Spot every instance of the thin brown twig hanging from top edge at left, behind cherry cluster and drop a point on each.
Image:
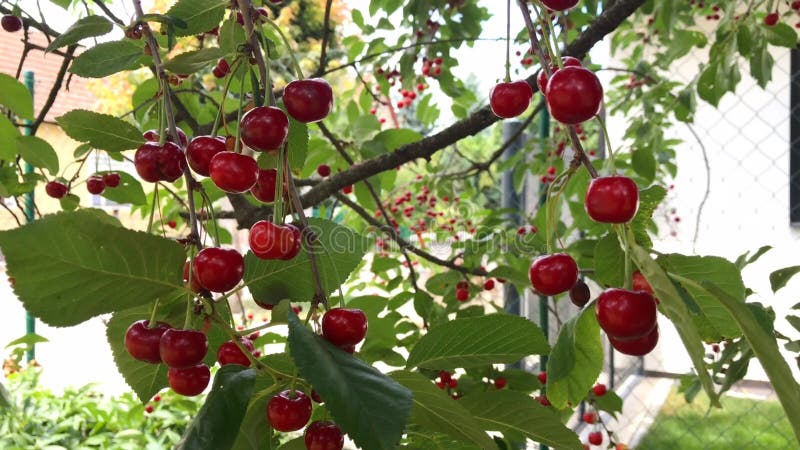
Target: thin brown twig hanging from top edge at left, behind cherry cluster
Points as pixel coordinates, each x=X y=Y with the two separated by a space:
x=173 y=128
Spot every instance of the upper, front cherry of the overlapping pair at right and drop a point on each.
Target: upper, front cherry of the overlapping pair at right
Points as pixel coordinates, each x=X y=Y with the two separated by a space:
x=626 y=315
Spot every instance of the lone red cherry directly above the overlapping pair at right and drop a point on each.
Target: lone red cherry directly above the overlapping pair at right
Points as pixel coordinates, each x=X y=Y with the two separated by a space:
x=612 y=199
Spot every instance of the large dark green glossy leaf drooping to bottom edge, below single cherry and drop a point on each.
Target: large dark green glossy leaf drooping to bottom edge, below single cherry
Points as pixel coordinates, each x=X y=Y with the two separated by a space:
x=369 y=406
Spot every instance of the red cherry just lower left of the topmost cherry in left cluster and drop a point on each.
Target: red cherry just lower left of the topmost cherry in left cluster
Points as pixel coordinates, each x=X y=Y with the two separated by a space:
x=265 y=128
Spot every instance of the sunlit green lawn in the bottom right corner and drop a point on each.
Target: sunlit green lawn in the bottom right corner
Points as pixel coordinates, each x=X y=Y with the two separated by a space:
x=742 y=424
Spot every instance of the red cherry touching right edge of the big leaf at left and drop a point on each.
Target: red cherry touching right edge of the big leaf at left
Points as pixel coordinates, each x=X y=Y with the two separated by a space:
x=218 y=269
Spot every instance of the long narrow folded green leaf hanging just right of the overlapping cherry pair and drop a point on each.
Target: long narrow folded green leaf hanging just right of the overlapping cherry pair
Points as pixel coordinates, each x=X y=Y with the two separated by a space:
x=676 y=310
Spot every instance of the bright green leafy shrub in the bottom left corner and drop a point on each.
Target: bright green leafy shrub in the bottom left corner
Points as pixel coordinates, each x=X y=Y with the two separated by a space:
x=83 y=418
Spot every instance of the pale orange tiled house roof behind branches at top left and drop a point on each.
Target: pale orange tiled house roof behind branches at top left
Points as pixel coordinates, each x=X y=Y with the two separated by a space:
x=74 y=92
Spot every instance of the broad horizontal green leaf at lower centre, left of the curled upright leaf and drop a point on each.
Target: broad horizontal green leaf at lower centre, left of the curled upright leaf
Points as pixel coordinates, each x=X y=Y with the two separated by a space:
x=477 y=341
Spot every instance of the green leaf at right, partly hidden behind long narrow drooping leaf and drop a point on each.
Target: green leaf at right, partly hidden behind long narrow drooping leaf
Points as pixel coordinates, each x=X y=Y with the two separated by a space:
x=716 y=270
